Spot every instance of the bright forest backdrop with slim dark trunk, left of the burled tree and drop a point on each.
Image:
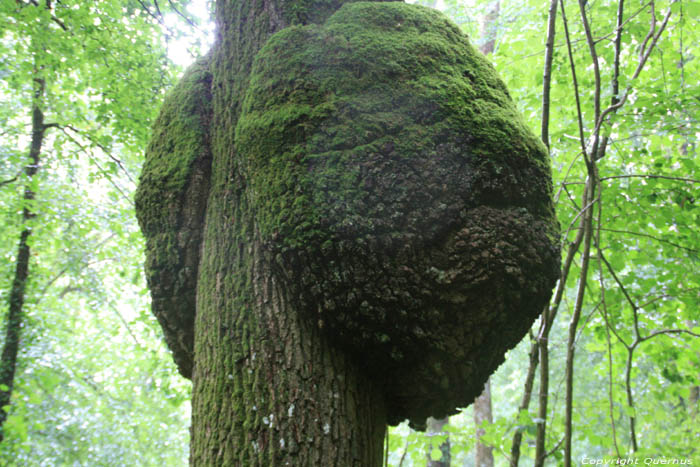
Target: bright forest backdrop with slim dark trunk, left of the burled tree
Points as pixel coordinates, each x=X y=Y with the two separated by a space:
x=80 y=84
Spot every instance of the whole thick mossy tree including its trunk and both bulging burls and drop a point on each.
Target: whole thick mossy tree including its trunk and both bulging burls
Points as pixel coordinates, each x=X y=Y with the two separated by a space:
x=348 y=224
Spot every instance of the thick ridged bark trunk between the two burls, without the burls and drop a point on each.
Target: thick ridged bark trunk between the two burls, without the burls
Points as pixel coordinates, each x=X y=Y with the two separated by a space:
x=268 y=387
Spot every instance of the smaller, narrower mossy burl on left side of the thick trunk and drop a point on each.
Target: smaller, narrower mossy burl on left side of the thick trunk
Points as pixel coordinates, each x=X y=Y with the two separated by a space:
x=170 y=204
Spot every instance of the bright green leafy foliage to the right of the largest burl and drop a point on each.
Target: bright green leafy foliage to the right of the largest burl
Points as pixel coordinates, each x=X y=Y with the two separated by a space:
x=641 y=307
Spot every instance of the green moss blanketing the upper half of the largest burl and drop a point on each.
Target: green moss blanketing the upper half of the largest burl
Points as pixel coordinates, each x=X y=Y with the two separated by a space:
x=327 y=105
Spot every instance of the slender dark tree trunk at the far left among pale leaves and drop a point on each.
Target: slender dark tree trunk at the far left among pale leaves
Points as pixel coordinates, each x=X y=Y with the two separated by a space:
x=8 y=362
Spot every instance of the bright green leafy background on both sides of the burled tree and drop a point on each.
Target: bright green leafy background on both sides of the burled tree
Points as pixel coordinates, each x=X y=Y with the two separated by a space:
x=105 y=63
